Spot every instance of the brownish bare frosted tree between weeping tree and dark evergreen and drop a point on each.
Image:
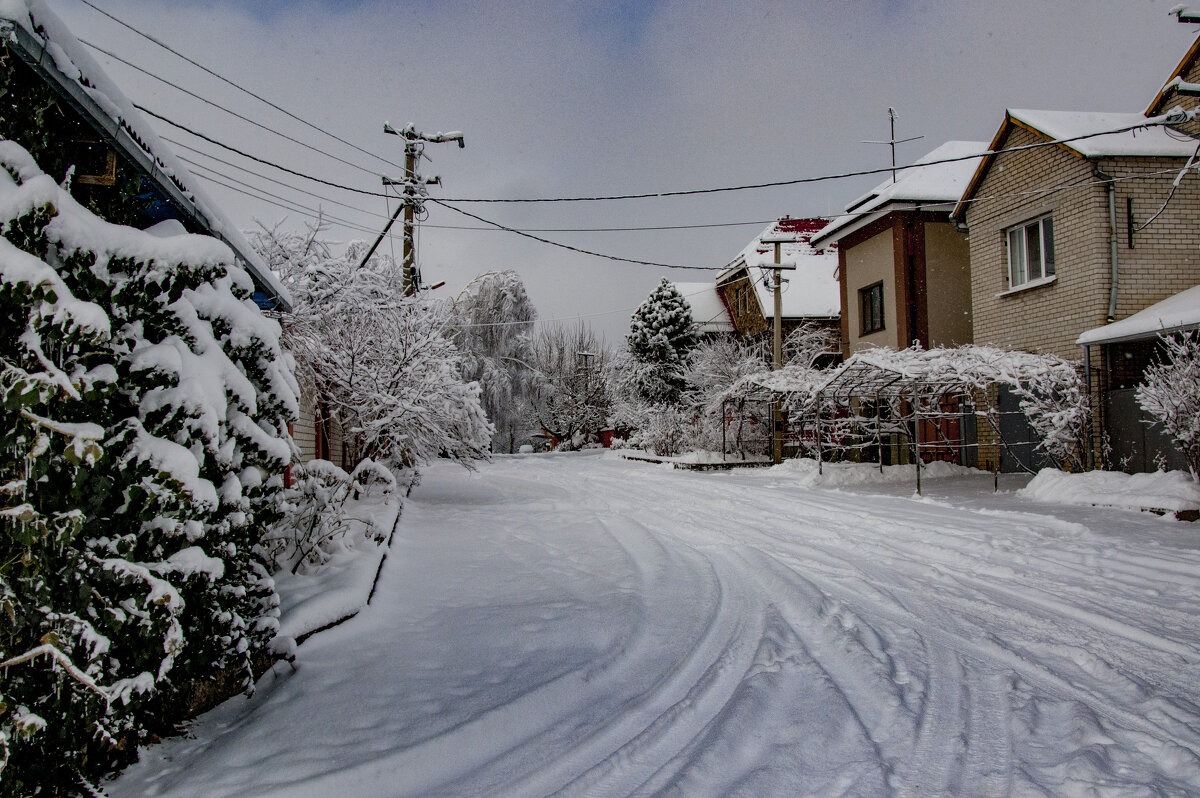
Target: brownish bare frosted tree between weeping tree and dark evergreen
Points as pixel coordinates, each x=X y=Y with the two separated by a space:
x=571 y=397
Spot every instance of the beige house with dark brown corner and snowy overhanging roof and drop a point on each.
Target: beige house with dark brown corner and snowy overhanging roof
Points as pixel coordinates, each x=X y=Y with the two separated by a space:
x=903 y=268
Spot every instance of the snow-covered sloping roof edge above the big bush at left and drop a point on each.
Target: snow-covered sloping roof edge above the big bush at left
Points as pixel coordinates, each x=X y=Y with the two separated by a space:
x=47 y=45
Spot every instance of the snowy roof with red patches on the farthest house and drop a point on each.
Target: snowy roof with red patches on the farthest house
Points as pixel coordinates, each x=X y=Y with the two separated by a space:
x=812 y=291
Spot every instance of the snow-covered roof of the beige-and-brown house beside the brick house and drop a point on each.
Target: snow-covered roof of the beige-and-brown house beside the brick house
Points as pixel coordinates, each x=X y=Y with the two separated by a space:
x=940 y=183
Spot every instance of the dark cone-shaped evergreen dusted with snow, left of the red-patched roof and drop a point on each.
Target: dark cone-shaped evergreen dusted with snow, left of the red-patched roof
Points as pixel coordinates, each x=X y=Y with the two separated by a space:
x=662 y=337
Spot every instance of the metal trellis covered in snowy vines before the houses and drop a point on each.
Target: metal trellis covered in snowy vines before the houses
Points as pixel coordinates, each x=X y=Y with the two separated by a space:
x=927 y=405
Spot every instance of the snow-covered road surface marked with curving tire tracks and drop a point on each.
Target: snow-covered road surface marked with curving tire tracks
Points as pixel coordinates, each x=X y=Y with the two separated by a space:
x=589 y=626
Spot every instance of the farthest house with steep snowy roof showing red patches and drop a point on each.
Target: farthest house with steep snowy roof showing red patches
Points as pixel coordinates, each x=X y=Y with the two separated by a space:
x=809 y=295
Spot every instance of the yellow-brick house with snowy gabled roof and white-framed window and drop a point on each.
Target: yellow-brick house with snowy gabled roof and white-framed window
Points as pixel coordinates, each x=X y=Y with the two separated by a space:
x=1065 y=239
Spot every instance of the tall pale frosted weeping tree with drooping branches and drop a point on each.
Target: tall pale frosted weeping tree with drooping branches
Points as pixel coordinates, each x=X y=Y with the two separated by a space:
x=495 y=334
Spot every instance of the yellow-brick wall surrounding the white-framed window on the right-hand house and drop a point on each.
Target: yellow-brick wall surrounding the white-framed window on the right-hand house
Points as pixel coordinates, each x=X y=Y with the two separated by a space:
x=1049 y=319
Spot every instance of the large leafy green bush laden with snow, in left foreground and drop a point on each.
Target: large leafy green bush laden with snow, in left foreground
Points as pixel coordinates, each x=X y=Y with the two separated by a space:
x=143 y=440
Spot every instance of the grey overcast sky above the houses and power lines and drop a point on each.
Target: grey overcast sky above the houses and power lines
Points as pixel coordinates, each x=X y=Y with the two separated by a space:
x=586 y=99
